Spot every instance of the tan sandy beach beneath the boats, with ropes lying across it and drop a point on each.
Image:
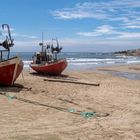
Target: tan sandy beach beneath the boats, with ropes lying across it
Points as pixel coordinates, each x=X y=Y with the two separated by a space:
x=36 y=109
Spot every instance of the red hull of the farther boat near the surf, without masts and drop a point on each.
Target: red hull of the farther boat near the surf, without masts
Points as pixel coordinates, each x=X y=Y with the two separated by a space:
x=55 y=68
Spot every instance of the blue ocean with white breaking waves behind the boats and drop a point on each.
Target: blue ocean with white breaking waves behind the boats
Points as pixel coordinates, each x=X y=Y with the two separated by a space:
x=84 y=60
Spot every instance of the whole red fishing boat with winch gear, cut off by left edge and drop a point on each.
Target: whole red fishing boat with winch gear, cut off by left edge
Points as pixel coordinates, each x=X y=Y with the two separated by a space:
x=10 y=68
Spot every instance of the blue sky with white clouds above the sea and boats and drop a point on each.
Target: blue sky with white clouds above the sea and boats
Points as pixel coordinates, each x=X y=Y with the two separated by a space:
x=79 y=25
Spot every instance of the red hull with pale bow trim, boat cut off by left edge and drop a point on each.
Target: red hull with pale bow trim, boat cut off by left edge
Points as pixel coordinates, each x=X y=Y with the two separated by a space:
x=10 y=70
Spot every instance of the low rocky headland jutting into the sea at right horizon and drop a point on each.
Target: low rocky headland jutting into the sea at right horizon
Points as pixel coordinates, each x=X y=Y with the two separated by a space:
x=135 y=52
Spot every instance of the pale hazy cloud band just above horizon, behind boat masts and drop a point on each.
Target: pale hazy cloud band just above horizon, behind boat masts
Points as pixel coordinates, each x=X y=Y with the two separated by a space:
x=72 y=44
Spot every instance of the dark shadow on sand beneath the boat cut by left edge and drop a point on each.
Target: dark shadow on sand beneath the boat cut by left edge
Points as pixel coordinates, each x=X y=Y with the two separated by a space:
x=14 y=89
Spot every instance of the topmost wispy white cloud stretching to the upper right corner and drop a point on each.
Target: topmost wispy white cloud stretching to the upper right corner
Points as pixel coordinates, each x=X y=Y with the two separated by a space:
x=123 y=10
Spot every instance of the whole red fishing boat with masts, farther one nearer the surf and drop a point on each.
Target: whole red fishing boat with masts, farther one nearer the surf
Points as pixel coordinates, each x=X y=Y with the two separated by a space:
x=46 y=61
